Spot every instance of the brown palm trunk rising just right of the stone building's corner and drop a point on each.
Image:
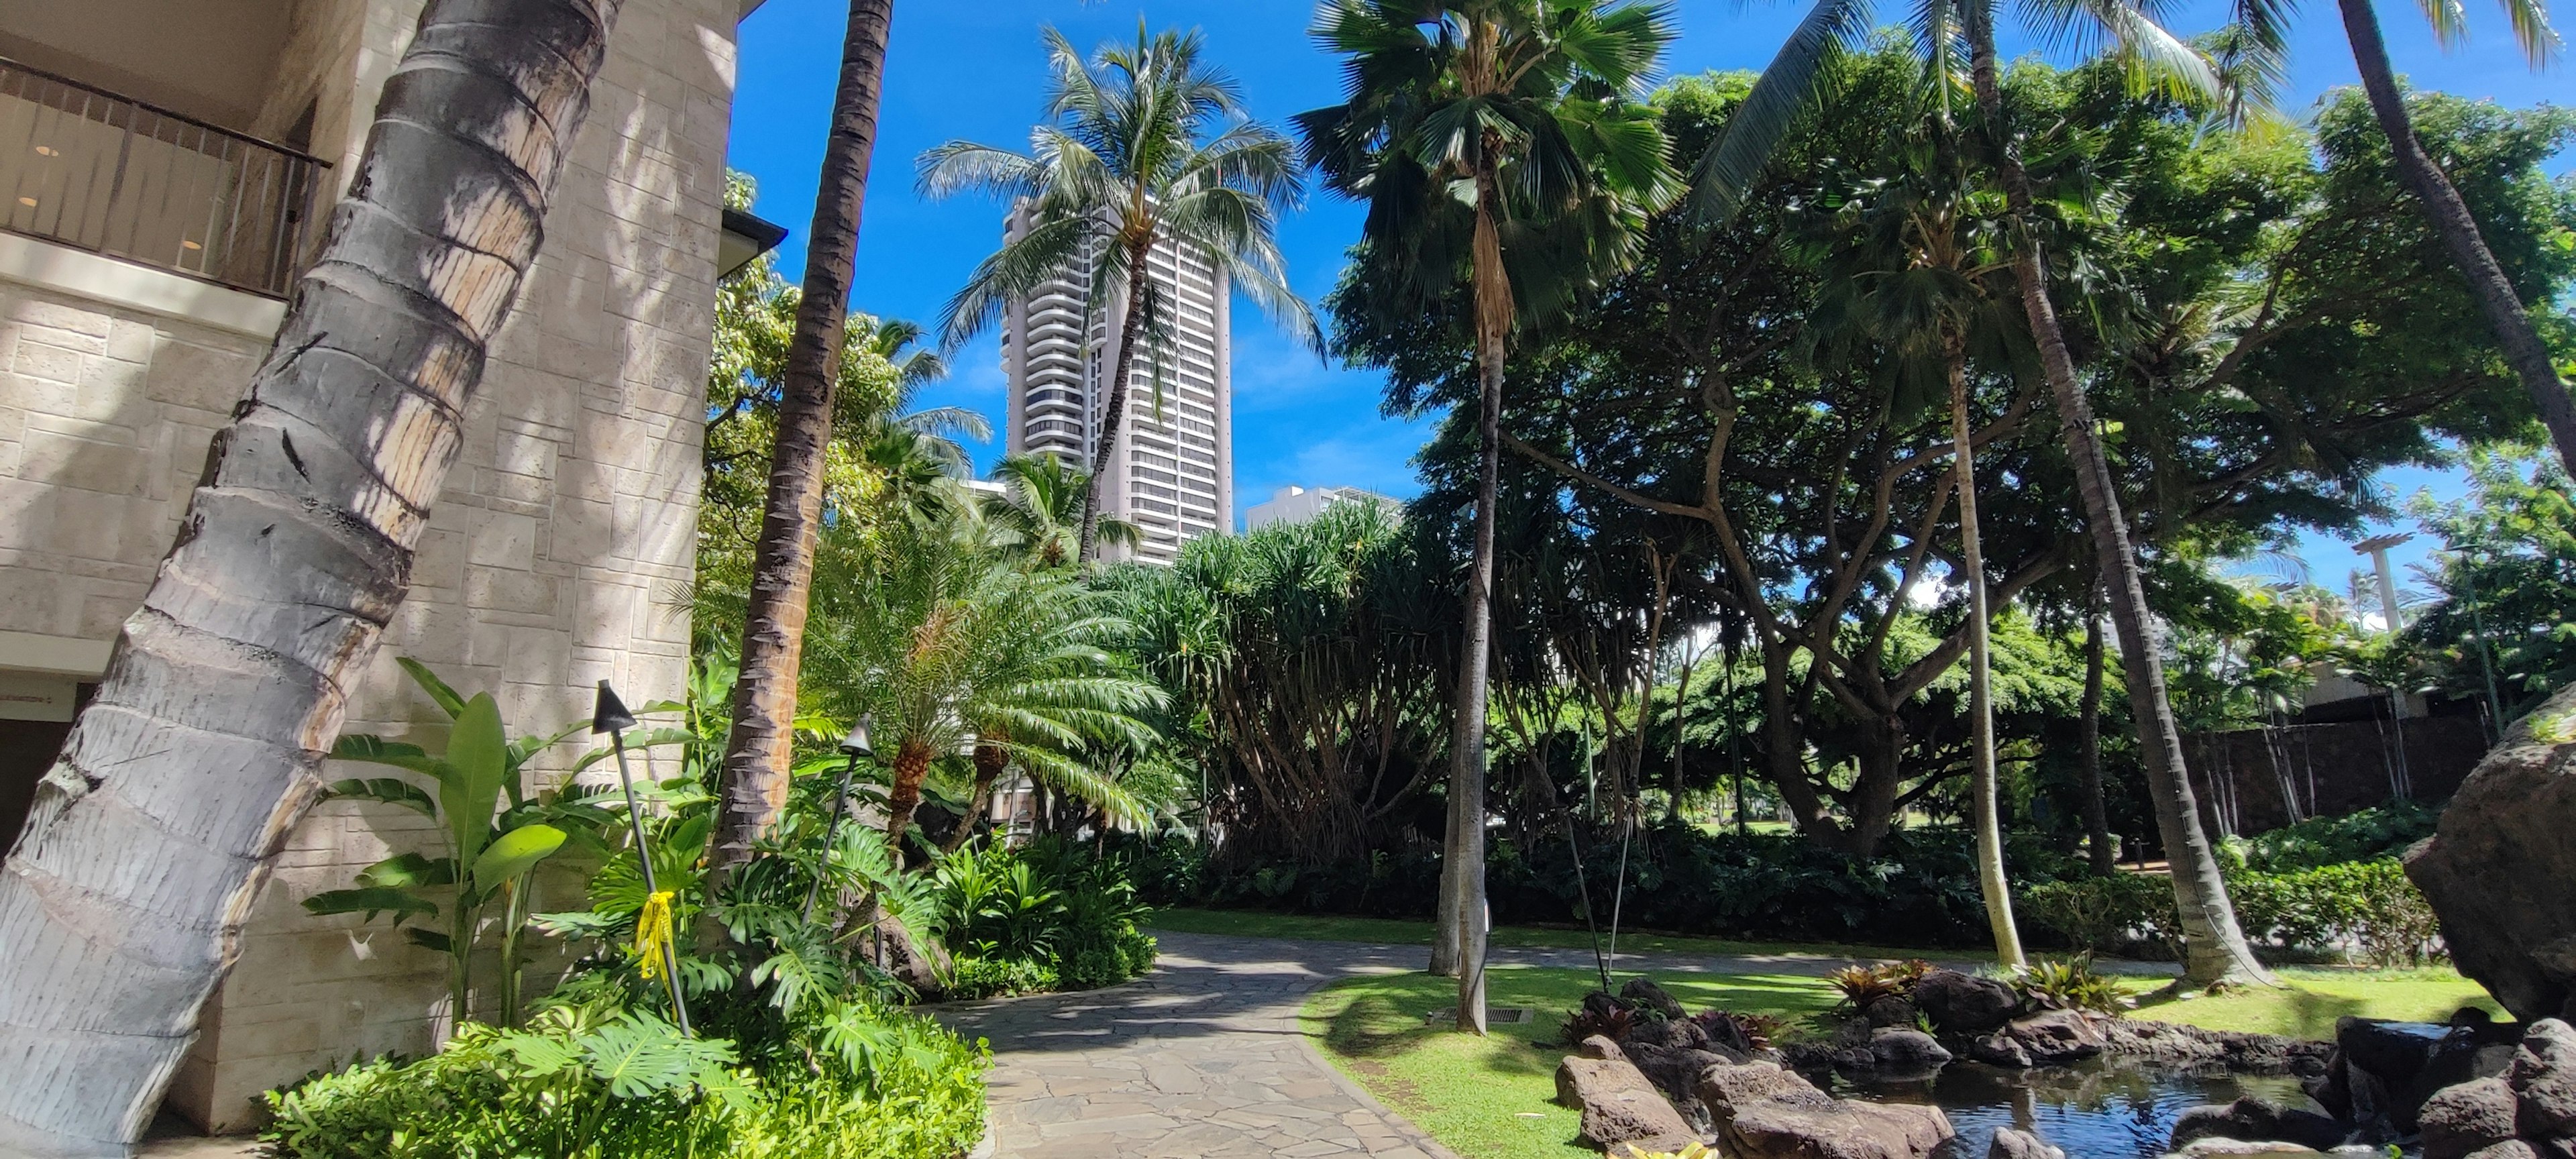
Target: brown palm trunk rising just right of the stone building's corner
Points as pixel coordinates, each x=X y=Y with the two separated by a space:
x=761 y=748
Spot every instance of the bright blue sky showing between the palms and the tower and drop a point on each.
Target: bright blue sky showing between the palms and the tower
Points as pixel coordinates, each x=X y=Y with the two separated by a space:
x=975 y=71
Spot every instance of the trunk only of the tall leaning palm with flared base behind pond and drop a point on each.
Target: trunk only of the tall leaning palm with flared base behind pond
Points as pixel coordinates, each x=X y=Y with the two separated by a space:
x=2211 y=939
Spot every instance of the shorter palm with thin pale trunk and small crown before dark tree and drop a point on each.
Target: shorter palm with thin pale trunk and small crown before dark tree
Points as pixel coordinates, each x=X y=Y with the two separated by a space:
x=1918 y=267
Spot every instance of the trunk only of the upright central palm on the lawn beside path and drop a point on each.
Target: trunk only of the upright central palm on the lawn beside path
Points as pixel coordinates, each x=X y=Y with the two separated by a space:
x=1467 y=740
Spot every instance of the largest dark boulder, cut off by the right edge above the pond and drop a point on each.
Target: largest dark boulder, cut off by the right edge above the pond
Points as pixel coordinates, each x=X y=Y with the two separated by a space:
x=2500 y=869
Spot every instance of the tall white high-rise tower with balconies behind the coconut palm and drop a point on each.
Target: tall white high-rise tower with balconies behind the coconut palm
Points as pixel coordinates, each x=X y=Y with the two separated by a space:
x=1173 y=467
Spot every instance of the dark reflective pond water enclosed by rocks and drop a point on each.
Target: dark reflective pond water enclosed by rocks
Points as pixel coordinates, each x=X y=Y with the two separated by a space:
x=2103 y=1109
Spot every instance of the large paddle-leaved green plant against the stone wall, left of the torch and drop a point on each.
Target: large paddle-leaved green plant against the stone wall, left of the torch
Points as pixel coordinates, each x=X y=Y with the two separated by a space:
x=493 y=836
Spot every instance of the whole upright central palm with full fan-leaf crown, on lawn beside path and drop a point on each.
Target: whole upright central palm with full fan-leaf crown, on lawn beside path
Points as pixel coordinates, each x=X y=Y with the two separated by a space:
x=1498 y=140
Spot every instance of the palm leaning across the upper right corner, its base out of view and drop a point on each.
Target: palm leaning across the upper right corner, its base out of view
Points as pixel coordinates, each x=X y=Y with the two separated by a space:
x=2443 y=205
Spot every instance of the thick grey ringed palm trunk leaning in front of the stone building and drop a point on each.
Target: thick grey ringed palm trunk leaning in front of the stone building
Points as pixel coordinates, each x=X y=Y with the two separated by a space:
x=122 y=903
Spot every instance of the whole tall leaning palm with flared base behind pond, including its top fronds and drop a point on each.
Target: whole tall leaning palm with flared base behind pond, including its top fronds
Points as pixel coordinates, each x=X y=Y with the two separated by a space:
x=2214 y=944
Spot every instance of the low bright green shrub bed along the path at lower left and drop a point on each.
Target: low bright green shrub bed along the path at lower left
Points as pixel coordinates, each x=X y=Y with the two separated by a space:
x=589 y=1080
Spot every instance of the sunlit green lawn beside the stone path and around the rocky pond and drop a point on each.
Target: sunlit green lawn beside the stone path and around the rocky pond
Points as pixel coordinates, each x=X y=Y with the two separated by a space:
x=1493 y=1096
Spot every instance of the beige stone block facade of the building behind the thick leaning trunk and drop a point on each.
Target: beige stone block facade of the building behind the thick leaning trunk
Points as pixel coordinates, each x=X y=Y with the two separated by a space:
x=558 y=547
